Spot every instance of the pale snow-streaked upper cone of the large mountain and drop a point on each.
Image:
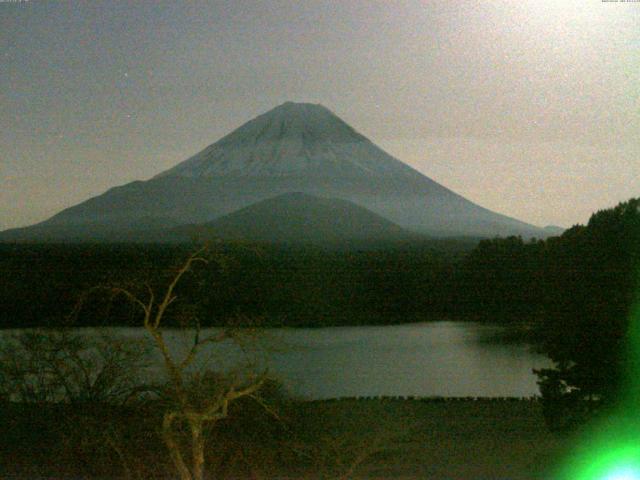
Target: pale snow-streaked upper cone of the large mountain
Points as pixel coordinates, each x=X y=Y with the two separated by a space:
x=291 y=139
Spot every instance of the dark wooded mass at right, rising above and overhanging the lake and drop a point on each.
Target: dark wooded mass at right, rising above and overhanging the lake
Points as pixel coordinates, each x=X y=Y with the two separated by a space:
x=581 y=289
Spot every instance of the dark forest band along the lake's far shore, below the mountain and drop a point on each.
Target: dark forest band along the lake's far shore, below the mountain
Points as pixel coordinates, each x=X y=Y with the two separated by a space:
x=48 y=285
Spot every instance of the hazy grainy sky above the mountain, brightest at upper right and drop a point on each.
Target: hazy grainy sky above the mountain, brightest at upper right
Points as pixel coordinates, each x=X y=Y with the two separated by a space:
x=529 y=108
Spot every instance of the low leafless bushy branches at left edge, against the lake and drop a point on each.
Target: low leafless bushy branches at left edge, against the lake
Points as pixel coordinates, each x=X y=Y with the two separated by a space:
x=58 y=365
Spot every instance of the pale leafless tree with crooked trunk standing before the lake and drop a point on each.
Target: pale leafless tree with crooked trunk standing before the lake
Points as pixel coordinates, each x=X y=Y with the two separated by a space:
x=196 y=401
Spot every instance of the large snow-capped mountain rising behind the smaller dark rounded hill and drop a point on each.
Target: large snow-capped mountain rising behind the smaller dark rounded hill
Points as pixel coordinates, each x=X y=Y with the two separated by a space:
x=295 y=147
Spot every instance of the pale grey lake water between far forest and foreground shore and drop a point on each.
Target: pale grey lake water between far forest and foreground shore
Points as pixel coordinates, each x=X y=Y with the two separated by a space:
x=427 y=359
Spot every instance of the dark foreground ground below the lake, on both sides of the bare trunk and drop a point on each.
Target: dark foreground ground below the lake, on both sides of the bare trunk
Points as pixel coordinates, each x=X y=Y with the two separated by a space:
x=369 y=438
